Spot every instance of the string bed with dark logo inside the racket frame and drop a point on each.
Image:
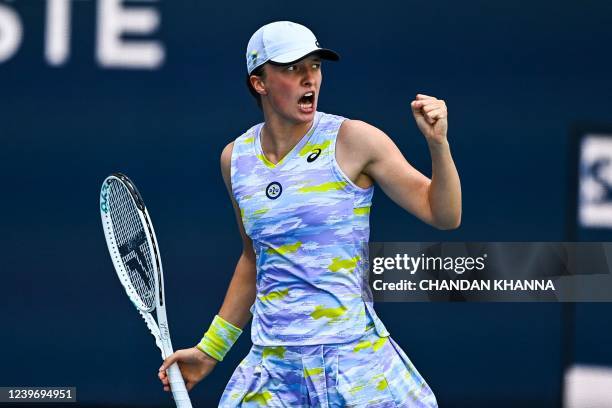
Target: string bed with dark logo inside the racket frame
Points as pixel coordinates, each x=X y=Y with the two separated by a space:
x=132 y=243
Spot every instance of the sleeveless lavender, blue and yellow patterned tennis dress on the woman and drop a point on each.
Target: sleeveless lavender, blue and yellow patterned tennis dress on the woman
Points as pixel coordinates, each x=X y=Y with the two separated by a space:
x=317 y=341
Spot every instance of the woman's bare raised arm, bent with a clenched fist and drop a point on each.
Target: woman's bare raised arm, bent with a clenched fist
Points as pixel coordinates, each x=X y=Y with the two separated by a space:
x=436 y=201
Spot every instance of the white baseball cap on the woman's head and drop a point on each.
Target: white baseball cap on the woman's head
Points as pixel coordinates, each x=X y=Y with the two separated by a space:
x=283 y=42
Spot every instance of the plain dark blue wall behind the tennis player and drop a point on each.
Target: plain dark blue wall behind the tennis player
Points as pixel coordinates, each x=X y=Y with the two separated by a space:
x=515 y=76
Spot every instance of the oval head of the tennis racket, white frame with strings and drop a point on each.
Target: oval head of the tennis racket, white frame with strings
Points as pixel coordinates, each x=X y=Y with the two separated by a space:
x=131 y=241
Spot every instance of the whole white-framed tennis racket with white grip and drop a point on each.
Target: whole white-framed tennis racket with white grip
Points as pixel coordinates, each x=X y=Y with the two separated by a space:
x=133 y=248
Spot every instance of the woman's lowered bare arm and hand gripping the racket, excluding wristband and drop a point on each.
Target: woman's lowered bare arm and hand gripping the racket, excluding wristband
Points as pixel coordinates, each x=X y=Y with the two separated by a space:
x=194 y=364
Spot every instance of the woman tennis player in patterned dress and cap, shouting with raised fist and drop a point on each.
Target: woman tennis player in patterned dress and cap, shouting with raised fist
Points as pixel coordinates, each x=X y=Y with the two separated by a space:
x=301 y=184
